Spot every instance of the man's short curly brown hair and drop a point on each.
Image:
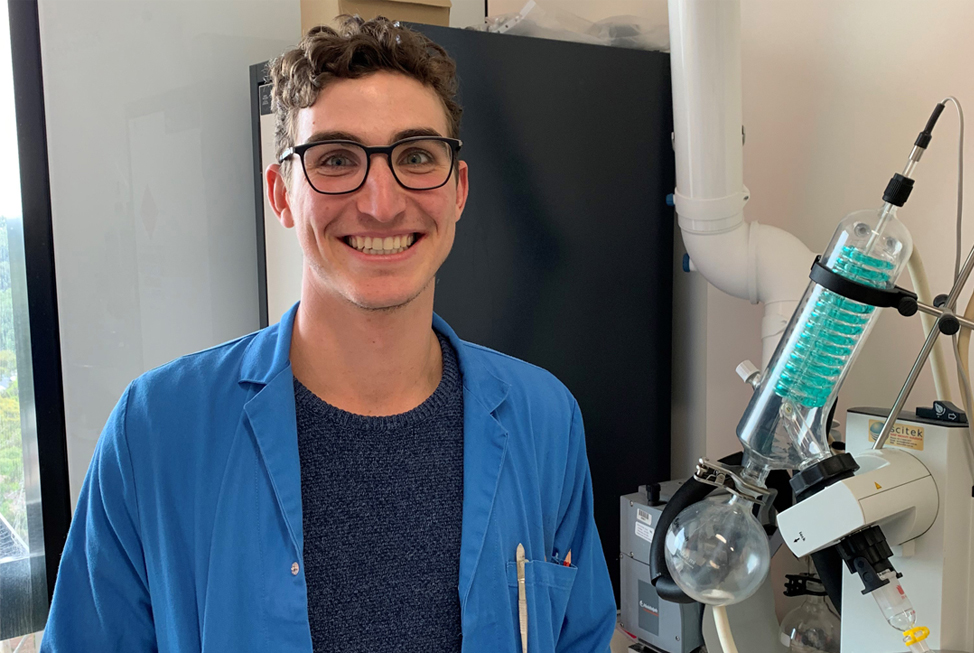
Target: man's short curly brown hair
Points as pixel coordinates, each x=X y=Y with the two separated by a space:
x=355 y=49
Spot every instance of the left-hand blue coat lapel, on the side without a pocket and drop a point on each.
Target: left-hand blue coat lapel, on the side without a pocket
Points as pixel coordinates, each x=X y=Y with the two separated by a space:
x=270 y=413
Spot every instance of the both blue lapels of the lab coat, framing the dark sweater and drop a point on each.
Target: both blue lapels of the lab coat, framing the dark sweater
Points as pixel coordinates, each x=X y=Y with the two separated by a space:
x=271 y=415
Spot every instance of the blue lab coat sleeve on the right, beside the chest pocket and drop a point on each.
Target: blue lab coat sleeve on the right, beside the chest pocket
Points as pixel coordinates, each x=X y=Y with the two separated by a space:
x=590 y=618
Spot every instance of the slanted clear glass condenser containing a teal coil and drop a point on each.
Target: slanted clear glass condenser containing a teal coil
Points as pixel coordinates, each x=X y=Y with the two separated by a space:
x=784 y=424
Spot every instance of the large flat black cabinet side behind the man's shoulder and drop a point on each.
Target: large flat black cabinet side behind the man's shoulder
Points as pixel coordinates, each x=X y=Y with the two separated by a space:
x=564 y=254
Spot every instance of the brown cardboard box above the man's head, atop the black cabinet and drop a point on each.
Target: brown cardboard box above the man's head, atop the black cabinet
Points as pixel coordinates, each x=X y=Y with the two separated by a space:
x=324 y=12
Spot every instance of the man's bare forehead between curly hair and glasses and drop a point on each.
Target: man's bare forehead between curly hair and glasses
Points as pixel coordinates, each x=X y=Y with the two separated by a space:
x=373 y=109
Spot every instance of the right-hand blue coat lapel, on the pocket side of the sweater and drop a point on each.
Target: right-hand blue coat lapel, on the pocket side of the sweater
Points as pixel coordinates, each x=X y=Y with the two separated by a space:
x=484 y=449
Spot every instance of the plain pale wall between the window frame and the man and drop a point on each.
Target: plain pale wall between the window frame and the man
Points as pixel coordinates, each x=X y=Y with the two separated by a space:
x=149 y=134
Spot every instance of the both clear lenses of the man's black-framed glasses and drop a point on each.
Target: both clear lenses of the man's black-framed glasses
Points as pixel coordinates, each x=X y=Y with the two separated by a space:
x=341 y=167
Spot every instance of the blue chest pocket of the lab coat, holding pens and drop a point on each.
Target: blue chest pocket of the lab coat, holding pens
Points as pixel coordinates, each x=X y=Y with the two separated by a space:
x=548 y=586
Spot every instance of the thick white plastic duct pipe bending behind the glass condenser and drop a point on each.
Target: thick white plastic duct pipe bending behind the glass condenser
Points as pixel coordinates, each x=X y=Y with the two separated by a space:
x=747 y=260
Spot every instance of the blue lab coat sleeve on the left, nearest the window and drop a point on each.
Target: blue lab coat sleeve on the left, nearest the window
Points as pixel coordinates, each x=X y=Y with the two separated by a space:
x=101 y=598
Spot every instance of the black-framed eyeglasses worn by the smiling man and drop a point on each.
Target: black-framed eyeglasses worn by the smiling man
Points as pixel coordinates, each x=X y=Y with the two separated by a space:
x=339 y=166
